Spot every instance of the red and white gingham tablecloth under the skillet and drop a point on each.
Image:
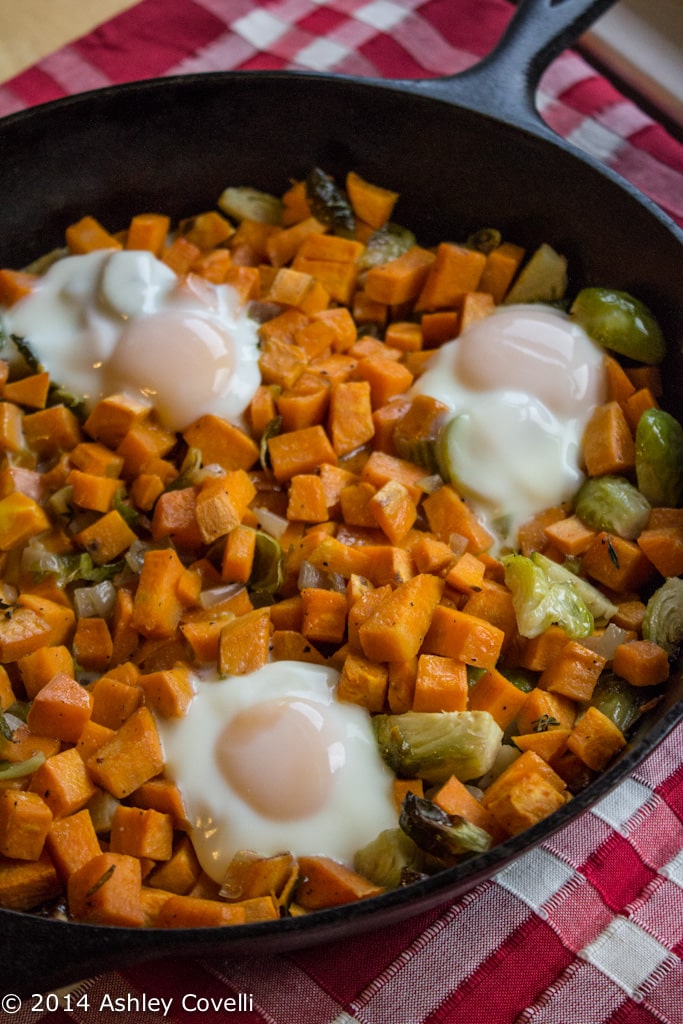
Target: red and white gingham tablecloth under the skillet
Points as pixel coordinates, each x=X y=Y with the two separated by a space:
x=588 y=928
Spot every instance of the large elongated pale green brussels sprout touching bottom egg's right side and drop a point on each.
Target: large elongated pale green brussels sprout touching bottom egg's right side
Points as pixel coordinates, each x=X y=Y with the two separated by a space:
x=435 y=746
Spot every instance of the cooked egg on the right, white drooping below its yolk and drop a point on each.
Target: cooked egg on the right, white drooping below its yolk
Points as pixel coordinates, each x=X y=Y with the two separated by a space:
x=522 y=386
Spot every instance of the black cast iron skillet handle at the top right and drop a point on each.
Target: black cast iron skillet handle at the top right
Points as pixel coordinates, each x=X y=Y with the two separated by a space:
x=504 y=83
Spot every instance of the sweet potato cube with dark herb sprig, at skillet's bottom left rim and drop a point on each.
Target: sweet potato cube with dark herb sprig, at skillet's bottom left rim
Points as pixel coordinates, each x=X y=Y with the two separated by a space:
x=107 y=890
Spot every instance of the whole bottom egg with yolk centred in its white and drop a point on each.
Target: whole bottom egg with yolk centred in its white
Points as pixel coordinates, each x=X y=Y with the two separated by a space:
x=272 y=762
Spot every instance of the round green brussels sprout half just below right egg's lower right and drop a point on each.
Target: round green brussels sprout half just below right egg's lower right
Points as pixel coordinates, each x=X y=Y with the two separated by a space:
x=613 y=503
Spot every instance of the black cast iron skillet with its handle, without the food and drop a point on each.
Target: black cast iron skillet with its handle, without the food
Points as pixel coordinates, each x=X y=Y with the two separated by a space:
x=464 y=153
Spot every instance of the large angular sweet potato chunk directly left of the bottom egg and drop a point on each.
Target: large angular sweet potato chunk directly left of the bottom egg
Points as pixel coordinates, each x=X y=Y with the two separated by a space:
x=133 y=756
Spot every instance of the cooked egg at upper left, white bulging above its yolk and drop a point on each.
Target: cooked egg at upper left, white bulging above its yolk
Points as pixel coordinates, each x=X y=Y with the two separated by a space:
x=122 y=321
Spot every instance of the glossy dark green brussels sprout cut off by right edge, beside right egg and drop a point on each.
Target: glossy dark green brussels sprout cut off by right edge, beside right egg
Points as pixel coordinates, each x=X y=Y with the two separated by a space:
x=660 y=458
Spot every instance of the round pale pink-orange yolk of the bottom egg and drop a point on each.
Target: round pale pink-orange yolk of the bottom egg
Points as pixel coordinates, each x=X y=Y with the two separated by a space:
x=277 y=758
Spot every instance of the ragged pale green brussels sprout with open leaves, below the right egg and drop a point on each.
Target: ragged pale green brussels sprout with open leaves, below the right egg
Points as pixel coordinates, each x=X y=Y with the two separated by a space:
x=541 y=603
